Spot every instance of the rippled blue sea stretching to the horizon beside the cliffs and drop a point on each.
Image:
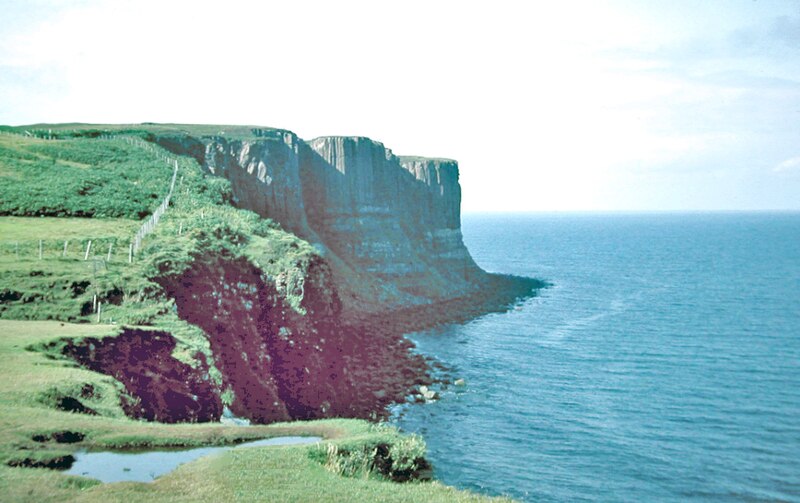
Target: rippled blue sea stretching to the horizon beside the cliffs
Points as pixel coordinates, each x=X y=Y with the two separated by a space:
x=662 y=365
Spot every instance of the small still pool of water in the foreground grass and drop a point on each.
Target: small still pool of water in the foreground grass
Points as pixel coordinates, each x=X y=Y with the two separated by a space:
x=145 y=466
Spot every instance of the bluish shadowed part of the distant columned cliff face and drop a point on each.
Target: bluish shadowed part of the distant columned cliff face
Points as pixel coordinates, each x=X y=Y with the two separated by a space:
x=395 y=239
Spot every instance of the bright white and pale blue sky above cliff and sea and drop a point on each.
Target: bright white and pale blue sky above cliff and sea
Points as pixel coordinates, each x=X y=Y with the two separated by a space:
x=547 y=106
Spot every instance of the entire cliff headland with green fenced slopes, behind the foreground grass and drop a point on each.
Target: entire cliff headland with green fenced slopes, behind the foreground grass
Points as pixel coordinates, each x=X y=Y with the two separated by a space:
x=223 y=308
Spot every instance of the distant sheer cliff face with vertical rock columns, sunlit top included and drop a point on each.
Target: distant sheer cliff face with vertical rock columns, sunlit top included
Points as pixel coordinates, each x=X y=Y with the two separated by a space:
x=388 y=226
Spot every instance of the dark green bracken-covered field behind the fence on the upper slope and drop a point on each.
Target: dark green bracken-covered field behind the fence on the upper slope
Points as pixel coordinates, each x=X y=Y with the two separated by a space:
x=76 y=177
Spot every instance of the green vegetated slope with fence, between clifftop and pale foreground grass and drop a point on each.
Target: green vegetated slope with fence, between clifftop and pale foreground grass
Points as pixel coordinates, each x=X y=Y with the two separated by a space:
x=63 y=286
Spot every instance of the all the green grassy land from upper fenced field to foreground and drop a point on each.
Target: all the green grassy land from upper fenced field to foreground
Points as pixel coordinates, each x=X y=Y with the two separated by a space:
x=69 y=210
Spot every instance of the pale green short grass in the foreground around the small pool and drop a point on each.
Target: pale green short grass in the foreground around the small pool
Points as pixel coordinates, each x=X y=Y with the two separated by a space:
x=290 y=473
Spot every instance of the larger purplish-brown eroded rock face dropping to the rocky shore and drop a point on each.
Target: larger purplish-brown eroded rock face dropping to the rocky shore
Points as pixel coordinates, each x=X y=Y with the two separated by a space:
x=282 y=365
